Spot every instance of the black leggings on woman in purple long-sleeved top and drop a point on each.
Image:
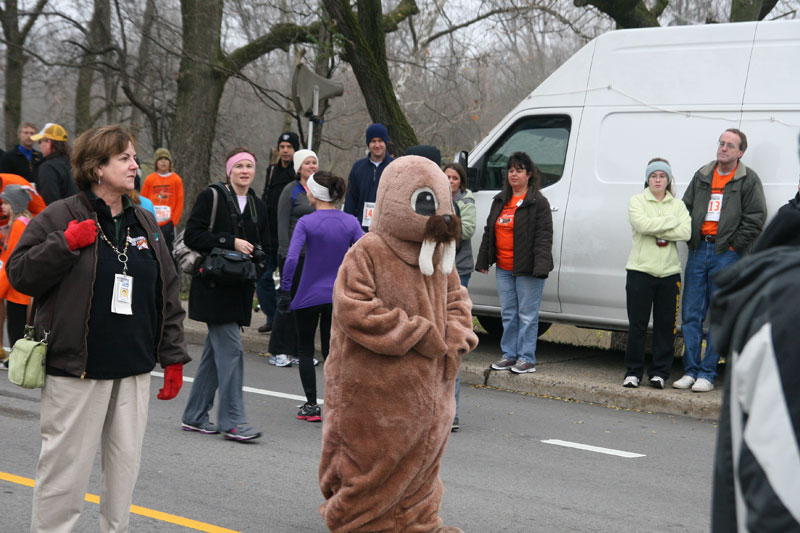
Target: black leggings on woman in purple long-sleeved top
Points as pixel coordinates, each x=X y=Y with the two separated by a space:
x=306 y=320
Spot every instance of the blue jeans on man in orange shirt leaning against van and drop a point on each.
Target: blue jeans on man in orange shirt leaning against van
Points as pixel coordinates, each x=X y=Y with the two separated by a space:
x=698 y=289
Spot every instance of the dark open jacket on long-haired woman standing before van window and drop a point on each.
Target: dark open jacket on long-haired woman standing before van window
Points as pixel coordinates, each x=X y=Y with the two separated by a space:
x=533 y=236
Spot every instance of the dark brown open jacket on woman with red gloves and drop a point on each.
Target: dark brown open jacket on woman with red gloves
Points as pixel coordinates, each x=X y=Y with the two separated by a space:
x=43 y=266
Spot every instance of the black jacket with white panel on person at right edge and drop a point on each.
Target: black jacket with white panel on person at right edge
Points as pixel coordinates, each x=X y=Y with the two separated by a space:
x=754 y=318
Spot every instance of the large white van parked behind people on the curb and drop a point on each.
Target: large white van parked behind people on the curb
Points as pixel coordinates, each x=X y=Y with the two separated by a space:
x=592 y=126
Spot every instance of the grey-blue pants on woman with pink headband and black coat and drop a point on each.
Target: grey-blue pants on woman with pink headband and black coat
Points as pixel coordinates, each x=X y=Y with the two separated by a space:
x=221 y=366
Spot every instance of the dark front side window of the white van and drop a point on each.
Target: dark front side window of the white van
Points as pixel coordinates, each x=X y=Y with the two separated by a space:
x=543 y=138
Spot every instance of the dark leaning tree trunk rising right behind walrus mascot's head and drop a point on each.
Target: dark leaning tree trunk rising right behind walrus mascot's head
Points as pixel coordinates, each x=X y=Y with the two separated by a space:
x=365 y=51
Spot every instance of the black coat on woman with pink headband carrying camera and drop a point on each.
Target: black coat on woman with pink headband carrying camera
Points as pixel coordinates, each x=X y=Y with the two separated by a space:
x=207 y=302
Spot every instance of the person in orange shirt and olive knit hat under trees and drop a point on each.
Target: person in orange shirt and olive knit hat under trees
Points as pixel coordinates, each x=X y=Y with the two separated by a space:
x=165 y=189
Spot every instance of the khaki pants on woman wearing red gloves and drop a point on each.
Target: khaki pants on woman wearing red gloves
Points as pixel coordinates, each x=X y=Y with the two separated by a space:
x=76 y=416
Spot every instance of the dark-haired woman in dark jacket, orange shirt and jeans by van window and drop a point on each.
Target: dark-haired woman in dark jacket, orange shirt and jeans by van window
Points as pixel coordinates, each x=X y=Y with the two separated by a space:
x=518 y=237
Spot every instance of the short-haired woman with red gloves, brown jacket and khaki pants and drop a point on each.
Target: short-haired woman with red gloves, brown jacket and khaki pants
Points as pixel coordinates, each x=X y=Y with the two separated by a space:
x=106 y=295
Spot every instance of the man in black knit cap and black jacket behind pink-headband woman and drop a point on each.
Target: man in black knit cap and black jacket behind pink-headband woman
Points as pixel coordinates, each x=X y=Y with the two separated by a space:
x=278 y=175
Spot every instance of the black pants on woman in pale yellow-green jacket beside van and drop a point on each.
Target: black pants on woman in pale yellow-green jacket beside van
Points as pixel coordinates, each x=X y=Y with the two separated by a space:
x=645 y=292
